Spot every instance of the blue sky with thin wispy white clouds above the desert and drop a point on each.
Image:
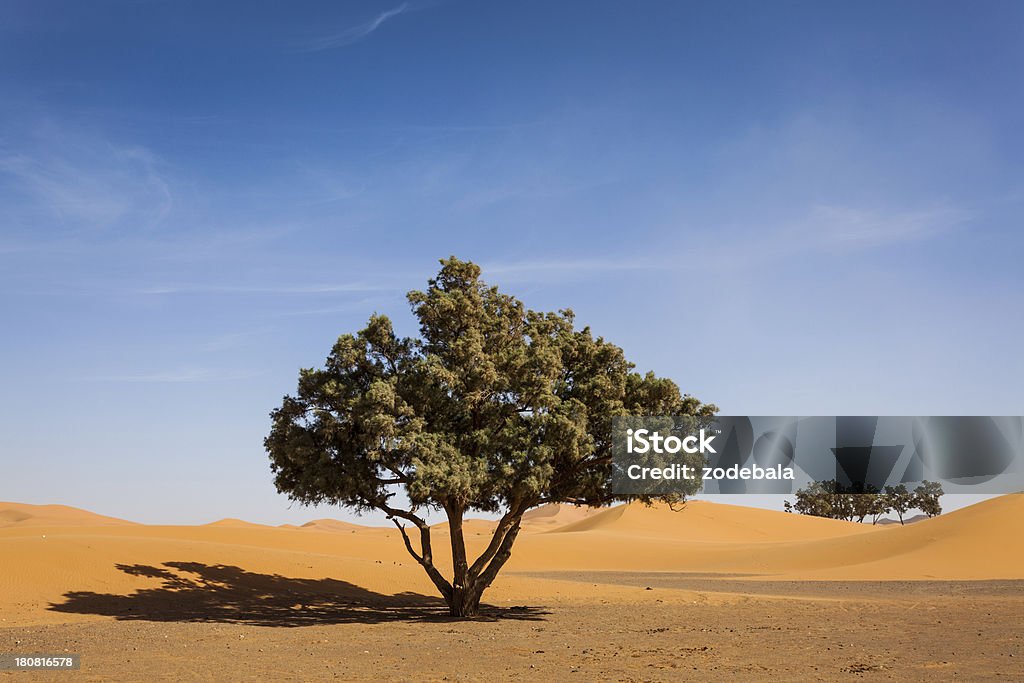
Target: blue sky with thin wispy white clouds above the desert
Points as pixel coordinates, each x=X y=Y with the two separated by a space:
x=789 y=208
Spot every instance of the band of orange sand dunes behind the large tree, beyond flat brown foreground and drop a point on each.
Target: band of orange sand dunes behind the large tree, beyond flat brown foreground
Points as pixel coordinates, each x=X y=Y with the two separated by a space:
x=49 y=552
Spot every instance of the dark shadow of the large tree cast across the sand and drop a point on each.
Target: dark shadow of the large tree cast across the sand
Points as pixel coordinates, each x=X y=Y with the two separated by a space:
x=223 y=594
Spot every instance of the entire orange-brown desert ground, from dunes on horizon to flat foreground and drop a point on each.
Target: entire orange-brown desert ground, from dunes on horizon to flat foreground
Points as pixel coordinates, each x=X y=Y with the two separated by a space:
x=713 y=592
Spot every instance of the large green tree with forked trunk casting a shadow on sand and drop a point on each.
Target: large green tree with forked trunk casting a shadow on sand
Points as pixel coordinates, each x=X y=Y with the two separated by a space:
x=494 y=408
